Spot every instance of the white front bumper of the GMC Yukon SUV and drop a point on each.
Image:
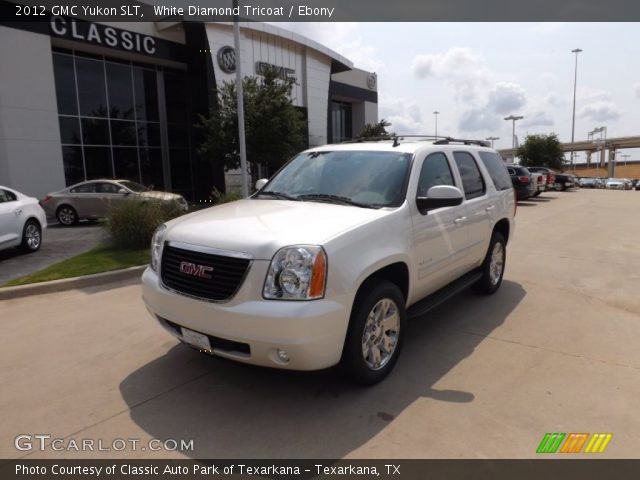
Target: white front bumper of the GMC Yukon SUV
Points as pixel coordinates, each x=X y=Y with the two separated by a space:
x=312 y=333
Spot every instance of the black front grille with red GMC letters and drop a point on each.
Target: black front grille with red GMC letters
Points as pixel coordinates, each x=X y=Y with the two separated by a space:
x=226 y=277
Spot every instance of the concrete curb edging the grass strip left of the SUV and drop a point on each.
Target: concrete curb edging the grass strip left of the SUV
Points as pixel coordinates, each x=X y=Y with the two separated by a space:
x=94 y=280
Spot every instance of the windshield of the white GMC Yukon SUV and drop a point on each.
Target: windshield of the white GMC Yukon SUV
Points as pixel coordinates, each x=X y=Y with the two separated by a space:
x=371 y=179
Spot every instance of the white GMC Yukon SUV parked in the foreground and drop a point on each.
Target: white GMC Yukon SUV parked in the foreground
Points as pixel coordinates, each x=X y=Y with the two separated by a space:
x=323 y=265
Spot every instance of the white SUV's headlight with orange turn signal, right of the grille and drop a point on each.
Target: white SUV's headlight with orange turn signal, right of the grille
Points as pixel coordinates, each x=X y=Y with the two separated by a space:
x=297 y=273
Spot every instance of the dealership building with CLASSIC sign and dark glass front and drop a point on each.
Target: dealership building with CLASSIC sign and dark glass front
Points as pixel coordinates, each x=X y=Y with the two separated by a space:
x=82 y=100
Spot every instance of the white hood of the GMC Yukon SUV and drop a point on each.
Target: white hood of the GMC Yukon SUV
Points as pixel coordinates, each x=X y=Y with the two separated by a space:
x=262 y=227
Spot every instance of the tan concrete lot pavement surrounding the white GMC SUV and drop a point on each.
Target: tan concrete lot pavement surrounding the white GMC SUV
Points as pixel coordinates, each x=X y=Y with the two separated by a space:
x=555 y=350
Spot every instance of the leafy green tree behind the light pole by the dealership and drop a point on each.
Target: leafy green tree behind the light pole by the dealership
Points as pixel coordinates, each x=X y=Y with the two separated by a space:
x=275 y=129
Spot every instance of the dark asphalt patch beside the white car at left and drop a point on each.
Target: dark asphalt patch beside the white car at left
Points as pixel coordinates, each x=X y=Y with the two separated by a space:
x=58 y=243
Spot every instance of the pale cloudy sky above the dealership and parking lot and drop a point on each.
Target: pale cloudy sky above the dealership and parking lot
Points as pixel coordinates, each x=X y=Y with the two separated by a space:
x=475 y=74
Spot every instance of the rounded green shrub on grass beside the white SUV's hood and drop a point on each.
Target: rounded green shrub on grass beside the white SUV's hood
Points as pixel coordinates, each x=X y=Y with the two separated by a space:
x=131 y=224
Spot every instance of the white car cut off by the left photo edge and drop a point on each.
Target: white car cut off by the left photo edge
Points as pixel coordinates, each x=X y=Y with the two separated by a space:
x=22 y=221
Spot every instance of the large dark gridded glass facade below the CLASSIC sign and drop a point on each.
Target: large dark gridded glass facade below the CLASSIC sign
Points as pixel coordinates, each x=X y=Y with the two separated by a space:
x=115 y=121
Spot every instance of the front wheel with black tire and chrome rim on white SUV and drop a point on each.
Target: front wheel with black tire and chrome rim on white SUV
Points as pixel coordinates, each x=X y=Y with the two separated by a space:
x=358 y=366
